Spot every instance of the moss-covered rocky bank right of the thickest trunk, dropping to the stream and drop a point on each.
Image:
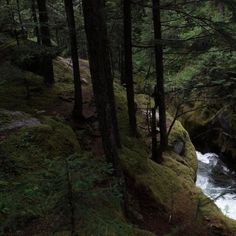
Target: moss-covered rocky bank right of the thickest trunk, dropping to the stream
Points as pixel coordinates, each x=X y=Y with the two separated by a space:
x=167 y=193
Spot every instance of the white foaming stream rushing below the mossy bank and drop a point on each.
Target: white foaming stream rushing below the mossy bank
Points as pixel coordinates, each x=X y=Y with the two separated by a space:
x=217 y=182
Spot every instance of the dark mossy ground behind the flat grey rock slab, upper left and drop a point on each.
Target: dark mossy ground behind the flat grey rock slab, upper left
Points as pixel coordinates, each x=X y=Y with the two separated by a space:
x=41 y=96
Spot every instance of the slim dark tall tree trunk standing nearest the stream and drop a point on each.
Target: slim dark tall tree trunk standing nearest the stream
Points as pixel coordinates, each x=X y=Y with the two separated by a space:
x=160 y=92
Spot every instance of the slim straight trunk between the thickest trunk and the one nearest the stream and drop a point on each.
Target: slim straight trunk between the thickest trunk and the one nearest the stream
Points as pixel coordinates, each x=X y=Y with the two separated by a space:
x=129 y=67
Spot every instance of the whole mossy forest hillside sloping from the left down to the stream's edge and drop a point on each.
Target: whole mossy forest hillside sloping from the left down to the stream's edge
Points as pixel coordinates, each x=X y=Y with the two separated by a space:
x=53 y=174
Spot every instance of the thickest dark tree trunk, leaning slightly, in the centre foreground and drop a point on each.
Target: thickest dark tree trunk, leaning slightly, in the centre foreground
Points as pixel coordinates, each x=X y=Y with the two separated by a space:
x=101 y=76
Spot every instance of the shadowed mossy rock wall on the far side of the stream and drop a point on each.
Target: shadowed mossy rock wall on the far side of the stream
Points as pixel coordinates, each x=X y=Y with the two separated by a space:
x=215 y=120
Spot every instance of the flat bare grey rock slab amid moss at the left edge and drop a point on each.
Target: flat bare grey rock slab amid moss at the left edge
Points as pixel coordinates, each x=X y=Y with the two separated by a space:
x=10 y=120
